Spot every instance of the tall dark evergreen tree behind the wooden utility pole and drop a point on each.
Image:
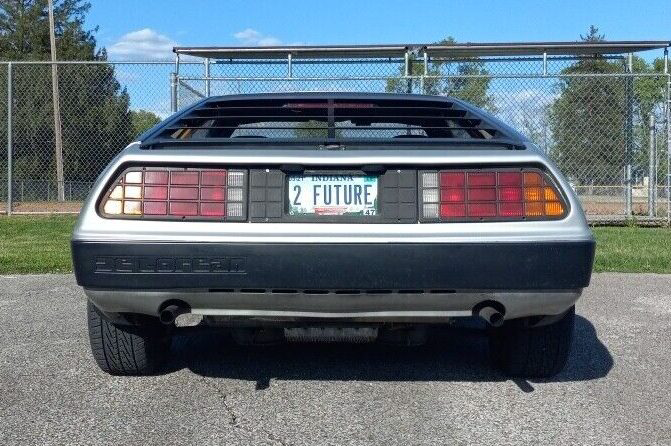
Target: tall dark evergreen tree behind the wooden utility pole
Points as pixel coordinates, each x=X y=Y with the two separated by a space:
x=94 y=109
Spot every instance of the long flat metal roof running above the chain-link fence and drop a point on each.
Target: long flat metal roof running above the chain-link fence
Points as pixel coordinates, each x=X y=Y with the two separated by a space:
x=432 y=50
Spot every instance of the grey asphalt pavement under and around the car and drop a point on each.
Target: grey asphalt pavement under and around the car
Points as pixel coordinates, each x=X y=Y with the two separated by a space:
x=615 y=390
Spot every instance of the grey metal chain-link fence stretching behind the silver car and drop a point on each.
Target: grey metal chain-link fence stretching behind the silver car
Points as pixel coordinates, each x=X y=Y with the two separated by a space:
x=605 y=125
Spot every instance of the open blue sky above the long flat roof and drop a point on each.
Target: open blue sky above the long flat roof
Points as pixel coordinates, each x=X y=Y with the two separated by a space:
x=143 y=29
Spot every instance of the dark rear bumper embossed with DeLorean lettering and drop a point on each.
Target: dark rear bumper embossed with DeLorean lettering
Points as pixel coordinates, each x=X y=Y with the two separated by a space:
x=551 y=265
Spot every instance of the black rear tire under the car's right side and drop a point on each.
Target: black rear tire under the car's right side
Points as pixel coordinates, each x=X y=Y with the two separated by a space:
x=532 y=352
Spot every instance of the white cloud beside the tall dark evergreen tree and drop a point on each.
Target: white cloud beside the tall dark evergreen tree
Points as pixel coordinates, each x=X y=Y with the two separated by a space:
x=143 y=44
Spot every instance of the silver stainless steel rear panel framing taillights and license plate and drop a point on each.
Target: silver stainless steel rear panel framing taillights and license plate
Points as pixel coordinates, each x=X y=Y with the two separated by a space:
x=93 y=227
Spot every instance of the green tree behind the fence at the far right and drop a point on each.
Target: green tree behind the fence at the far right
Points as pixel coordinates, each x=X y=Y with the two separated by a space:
x=595 y=119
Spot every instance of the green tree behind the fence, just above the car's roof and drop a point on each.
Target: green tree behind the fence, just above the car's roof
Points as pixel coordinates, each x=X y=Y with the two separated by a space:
x=473 y=88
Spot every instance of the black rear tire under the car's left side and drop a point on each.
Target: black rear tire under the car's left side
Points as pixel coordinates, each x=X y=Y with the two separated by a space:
x=126 y=349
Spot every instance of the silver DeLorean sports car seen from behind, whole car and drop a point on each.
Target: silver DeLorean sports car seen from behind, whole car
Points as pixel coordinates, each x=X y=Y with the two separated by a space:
x=332 y=216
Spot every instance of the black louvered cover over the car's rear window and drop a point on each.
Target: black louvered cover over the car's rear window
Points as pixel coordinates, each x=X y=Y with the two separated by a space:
x=329 y=118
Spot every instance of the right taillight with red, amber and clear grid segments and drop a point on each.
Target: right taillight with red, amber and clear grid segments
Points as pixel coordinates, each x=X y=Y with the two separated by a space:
x=501 y=194
